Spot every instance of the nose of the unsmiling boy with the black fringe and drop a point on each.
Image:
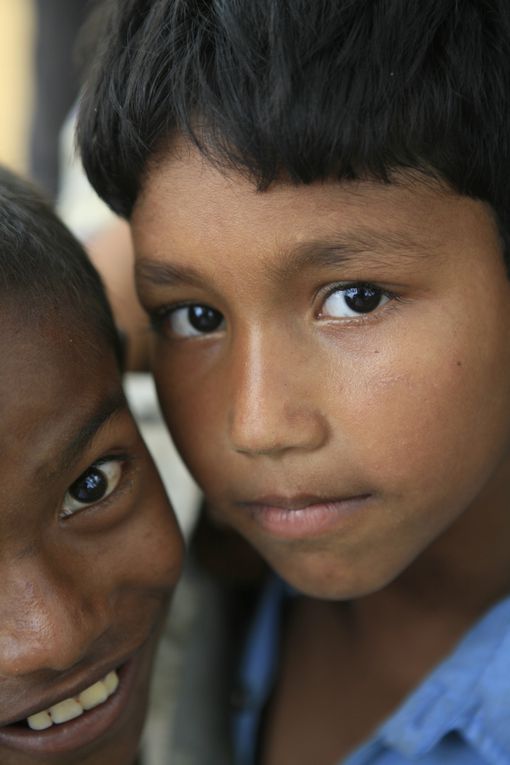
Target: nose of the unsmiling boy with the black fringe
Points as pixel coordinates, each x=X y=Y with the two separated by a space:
x=271 y=407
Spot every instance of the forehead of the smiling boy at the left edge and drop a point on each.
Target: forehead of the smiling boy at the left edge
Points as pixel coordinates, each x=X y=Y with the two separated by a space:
x=55 y=394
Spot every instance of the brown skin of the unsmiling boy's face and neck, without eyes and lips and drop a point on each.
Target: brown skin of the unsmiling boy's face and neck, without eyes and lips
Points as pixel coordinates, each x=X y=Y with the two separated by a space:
x=407 y=405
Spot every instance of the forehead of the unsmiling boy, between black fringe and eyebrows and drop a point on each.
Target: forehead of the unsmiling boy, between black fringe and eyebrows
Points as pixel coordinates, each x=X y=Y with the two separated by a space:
x=188 y=203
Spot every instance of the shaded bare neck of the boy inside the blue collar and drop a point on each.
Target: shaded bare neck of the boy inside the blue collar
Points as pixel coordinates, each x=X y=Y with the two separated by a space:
x=357 y=661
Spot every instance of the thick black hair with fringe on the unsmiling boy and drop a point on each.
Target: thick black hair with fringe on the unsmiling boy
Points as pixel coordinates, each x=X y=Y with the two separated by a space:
x=303 y=89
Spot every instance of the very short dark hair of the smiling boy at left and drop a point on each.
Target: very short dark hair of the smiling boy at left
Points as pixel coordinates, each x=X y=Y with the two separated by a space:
x=44 y=269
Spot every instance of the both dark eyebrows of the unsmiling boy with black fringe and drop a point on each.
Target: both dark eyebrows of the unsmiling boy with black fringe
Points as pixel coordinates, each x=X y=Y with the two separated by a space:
x=374 y=246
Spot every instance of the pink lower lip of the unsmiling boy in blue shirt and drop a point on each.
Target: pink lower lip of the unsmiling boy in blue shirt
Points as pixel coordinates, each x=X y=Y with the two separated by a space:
x=310 y=521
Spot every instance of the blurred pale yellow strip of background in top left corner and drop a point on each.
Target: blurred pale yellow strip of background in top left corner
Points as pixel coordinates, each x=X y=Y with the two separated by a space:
x=16 y=34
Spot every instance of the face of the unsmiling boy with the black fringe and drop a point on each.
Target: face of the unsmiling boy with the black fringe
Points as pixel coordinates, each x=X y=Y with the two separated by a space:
x=333 y=361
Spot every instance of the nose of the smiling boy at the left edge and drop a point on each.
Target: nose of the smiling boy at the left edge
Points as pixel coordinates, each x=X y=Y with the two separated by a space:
x=46 y=623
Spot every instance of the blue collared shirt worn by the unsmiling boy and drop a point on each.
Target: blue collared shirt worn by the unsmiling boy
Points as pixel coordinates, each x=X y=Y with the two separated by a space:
x=459 y=715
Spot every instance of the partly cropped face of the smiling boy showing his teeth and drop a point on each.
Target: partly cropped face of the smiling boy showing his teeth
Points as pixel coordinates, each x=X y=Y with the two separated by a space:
x=89 y=551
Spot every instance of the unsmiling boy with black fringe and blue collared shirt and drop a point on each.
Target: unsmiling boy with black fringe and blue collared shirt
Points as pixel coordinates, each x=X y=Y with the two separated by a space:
x=319 y=201
